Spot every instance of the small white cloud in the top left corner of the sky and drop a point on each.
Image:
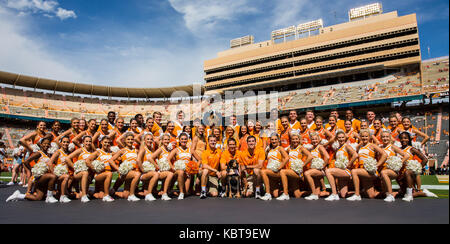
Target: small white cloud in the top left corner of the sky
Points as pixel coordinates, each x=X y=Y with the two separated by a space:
x=47 y=7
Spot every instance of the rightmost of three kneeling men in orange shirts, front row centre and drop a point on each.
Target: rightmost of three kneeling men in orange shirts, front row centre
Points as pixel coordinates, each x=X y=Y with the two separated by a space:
x=252 y=160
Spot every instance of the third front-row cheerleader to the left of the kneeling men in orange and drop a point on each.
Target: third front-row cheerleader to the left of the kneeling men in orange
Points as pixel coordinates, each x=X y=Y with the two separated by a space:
x=150 y=178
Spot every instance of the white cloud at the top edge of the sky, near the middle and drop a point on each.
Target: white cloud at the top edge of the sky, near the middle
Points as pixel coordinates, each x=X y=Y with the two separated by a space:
x=204 y=15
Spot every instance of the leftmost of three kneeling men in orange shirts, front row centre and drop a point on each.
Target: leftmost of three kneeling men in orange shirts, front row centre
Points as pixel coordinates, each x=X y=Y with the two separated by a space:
x=210 y=168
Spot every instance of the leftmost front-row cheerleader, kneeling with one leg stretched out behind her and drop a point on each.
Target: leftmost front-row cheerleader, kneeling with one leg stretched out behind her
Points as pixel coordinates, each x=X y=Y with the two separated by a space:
x=44 y=183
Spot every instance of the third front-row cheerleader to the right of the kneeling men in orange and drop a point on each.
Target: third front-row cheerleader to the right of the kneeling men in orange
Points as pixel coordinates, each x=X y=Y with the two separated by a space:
x=314 y=175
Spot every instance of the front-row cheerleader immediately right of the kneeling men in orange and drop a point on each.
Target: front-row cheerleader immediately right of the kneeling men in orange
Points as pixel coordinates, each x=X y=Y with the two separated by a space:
x=277 y=158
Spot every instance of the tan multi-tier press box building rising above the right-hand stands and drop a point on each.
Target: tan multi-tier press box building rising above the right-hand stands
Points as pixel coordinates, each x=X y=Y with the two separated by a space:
x=357 y=50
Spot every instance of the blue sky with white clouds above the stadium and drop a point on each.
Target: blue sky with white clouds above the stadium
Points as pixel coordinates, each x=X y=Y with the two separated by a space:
x=143 y=43
